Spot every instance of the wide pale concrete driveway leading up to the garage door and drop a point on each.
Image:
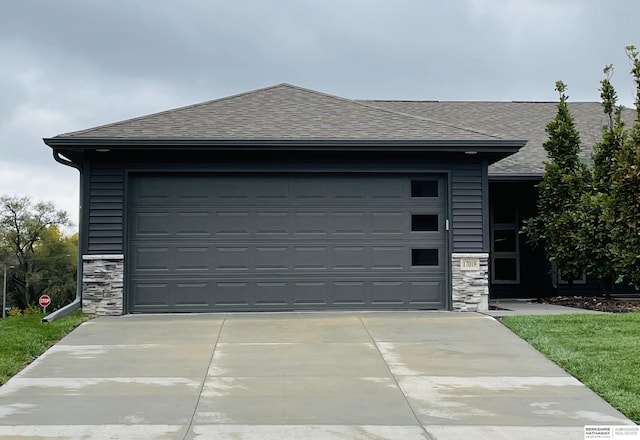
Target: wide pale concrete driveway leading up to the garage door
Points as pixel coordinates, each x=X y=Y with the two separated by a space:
x=383 y=375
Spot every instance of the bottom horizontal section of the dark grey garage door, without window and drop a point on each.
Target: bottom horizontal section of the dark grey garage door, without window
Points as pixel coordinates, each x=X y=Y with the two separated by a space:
x=209 y=294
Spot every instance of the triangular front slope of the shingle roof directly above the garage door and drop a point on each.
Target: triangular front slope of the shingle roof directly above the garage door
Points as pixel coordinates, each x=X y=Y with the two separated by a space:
x=282 y=112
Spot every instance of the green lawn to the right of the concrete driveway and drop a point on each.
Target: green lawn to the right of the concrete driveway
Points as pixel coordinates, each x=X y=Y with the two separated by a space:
x=602 y=351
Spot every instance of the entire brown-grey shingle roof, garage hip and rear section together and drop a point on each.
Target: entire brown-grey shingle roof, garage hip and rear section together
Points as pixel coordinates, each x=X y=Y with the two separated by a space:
x=286 y=112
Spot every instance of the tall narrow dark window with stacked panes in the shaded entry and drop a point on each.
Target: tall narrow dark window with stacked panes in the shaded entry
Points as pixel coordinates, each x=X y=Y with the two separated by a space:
x=505 y=260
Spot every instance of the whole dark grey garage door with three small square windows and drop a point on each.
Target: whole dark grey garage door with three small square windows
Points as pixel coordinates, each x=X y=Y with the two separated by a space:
x=256 y=242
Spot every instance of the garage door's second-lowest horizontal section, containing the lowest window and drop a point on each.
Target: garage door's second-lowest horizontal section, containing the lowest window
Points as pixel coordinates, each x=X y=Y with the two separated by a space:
x=257 y=257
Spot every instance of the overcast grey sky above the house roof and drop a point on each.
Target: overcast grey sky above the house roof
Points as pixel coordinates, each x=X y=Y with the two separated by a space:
x=72 y=64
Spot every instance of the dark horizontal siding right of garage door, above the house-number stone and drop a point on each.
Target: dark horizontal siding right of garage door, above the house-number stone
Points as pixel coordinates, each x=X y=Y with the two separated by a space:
x=467 y=197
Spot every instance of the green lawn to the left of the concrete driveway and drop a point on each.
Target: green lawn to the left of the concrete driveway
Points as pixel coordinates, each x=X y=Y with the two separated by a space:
x=24 y=338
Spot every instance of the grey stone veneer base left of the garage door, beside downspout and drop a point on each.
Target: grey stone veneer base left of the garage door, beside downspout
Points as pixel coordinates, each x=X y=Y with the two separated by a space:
x=102 y=284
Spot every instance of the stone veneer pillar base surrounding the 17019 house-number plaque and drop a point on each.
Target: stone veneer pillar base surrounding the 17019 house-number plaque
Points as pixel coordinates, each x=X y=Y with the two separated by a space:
x=470 y=288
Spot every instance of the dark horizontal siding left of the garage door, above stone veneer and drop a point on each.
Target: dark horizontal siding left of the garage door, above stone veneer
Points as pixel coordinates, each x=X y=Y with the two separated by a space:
x=106 y=210
